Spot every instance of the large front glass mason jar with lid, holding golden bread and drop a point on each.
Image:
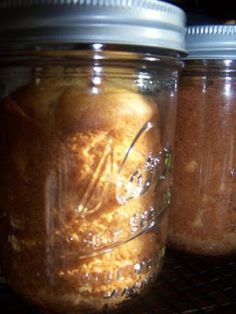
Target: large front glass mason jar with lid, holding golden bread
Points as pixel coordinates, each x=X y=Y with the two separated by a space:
x=87 y=123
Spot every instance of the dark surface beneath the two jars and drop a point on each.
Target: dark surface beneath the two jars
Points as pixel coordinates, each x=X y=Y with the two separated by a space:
x=187 y=285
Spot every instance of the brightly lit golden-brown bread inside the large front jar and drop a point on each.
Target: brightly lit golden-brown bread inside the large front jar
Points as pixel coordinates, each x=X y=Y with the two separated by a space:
x=78 y=187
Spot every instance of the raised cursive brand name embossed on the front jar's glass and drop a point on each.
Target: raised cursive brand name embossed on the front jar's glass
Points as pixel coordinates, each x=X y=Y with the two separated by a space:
x=134 y=176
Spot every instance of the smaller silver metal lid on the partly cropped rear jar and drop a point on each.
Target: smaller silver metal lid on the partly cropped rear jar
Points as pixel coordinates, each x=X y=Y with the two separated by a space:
x=211 y=42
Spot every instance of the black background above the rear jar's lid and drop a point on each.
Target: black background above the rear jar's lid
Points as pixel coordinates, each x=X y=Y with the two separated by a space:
x=206 y=11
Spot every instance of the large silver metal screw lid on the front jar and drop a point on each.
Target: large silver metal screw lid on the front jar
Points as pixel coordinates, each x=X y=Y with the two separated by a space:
x=130 y=22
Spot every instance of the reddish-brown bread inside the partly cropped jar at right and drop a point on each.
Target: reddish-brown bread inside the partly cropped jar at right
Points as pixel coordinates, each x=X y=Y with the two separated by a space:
x=202 y=215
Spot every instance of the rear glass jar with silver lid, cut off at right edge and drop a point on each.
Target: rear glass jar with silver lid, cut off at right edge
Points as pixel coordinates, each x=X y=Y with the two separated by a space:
x=203 y=212
